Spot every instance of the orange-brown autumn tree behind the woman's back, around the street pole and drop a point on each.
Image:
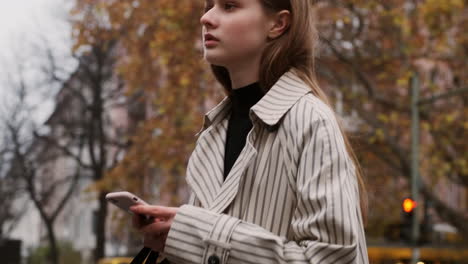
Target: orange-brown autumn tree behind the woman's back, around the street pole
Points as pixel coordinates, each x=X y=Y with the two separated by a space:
x=371 y=51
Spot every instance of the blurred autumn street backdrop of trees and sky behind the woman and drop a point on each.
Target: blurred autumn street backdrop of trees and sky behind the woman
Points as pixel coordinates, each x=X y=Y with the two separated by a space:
x=99 y=96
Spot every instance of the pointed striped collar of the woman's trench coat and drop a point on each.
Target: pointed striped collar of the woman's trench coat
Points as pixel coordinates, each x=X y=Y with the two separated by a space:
x=272 y=107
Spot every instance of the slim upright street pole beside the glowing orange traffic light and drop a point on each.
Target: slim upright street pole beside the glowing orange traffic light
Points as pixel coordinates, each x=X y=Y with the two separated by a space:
x=415 y=164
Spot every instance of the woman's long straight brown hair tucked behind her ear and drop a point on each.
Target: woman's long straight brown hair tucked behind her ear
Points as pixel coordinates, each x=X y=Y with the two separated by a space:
x=295 y=50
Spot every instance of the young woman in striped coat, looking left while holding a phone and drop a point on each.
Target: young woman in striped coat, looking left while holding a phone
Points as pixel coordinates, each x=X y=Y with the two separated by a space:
x=273 y=178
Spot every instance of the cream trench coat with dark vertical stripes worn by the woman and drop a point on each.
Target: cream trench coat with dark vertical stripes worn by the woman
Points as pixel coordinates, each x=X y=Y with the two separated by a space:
x=291 y=196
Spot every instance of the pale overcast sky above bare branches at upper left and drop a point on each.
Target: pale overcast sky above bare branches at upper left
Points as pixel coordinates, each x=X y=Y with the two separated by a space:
x=23 y=24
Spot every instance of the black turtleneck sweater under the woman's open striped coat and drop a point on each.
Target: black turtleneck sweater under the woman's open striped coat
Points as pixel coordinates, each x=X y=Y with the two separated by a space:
x=239 y=123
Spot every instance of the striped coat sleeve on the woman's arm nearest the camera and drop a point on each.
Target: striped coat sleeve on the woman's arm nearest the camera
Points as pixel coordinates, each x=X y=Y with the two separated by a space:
x=326 y=226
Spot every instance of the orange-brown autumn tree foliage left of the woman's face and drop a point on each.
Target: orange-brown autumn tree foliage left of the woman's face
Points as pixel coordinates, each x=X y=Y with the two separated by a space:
x=161 y=62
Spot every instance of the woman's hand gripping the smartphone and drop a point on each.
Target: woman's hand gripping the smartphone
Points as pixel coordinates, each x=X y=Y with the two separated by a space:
x=154 y=231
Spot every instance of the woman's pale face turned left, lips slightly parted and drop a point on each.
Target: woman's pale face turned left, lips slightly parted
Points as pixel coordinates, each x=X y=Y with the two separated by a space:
x=235 y=32
